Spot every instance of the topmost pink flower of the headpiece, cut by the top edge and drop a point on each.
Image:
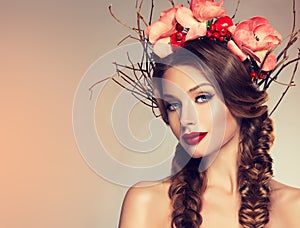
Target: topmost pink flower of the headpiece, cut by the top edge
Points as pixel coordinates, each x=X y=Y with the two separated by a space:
x=204 y=10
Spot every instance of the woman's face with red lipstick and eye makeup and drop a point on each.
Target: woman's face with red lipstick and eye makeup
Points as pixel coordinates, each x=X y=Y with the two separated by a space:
x=197 y=115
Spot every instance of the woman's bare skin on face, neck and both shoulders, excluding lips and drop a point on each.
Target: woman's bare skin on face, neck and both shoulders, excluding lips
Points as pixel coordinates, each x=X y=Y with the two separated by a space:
x=147 y=204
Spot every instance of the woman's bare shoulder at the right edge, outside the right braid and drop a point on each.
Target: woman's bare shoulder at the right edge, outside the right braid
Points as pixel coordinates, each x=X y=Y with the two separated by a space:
x=286 y=204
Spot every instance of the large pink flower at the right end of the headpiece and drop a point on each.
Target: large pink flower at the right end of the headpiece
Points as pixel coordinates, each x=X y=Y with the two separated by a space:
x=255 y=37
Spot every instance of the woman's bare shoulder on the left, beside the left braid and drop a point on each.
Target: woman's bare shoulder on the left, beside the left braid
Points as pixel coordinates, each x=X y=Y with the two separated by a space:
x=146 y=204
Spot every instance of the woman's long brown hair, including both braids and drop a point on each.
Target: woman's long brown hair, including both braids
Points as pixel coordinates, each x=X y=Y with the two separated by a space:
x=246 y=103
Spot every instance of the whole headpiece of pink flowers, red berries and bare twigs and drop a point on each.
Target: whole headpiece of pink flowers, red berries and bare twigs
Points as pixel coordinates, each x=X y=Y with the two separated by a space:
x=252 y=40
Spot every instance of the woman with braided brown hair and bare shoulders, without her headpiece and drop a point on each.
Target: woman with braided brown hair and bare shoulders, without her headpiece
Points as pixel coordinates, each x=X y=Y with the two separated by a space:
x=222 y=169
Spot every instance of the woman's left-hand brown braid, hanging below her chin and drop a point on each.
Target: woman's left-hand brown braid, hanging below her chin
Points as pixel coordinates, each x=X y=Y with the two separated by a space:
x=185 y=191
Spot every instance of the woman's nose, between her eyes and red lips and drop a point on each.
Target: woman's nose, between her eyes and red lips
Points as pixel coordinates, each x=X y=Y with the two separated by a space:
x=188 y=115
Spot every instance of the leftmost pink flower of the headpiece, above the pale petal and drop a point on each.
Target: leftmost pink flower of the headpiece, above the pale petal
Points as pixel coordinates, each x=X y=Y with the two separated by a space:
x=164 y=27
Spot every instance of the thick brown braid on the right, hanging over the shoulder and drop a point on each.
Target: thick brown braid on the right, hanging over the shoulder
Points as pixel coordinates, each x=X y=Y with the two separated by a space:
x=255 y=171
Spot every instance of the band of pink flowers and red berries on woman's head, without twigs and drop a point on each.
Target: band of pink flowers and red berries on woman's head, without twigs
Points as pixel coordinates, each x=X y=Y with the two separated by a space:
x=253 y=38
